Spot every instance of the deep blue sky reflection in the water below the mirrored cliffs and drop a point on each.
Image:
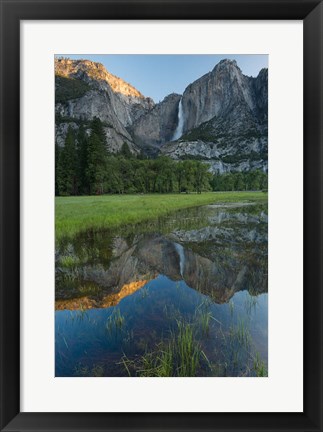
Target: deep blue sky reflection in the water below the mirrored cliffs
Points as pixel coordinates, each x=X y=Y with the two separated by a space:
x=82 y=338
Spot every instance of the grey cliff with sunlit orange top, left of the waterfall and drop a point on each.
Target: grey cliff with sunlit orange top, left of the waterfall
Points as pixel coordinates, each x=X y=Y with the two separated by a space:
x=85 y=90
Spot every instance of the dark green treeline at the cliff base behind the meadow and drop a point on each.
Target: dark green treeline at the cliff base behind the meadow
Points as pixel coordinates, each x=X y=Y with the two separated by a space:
x=85 y=167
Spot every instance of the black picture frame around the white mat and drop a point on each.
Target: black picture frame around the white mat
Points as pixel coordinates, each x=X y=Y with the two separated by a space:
x=12 y=12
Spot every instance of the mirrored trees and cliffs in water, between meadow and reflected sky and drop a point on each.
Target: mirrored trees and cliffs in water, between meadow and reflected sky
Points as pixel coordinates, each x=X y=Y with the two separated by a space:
x=222 y=251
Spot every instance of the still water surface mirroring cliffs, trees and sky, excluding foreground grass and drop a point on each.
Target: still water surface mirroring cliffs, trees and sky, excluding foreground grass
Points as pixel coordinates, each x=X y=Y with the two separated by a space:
x=202 y=261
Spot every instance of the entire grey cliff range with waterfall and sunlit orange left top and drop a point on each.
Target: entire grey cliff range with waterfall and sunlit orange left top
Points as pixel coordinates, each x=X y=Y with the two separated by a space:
x=223 y=115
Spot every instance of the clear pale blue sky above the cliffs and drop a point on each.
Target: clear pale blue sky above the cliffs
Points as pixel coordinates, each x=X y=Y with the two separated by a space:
x=158 y=75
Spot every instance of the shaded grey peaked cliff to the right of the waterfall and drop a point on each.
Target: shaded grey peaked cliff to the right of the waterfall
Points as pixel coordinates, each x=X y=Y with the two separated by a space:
x=225 y=120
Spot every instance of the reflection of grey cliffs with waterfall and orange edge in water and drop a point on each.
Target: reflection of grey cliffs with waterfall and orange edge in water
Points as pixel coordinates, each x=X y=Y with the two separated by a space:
x=228 y=253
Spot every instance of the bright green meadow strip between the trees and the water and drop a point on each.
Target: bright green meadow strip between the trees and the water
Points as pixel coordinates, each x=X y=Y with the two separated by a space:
x=79 y=214
